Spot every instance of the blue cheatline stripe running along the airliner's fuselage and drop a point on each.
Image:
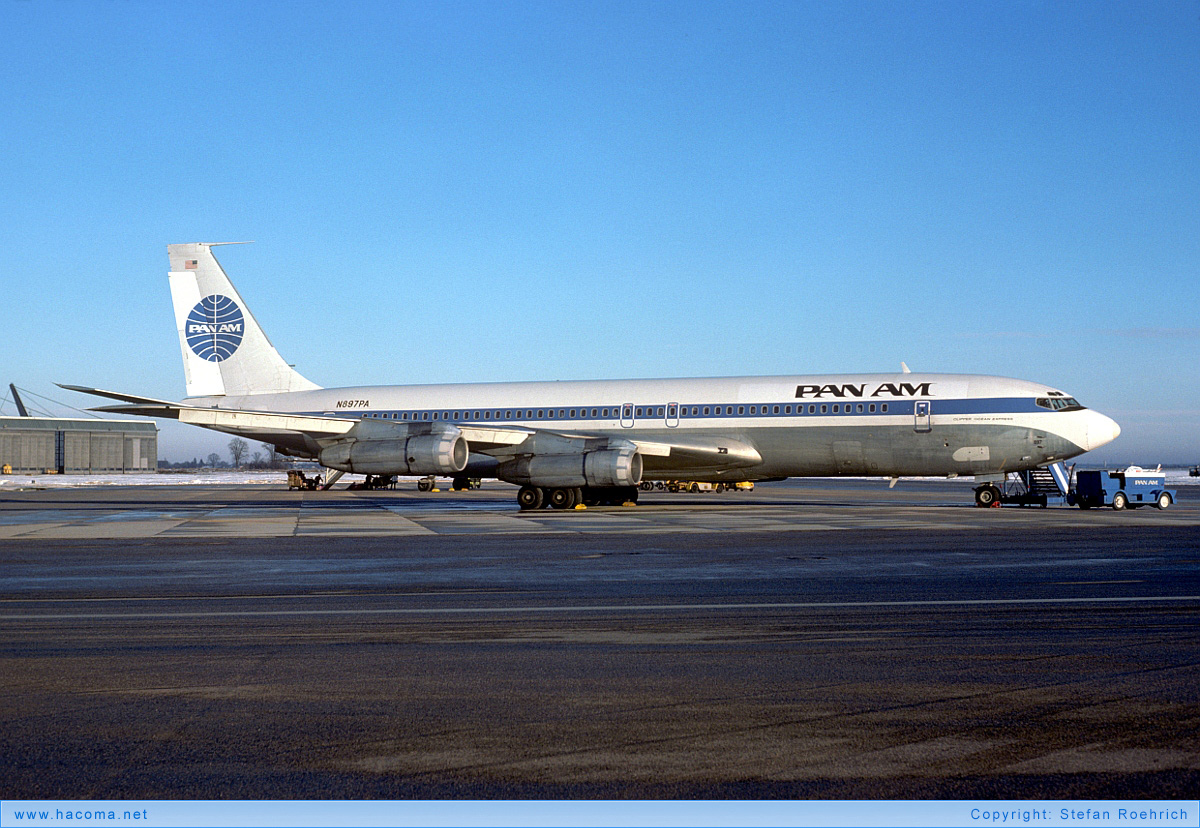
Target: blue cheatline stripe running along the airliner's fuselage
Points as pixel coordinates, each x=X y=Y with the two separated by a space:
x=745 y=411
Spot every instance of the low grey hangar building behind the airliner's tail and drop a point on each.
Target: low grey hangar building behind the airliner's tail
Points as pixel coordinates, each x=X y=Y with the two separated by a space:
x=37 y=446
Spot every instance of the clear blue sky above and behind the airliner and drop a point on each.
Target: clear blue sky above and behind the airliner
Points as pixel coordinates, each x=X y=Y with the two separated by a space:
x=459 y=193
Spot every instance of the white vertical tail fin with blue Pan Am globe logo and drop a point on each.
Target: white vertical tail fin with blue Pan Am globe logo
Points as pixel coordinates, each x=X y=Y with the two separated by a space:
x=226 y=352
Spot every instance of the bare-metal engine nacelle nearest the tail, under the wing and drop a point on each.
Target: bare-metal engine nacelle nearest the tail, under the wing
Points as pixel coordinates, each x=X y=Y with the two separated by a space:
x=443 y=453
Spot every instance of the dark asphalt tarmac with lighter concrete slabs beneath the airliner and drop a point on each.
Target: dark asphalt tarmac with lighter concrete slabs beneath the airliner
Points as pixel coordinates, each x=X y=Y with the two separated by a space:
x=814 y=640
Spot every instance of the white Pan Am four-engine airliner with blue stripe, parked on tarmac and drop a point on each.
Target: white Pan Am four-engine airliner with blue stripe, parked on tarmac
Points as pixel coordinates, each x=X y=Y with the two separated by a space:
x=595 y=442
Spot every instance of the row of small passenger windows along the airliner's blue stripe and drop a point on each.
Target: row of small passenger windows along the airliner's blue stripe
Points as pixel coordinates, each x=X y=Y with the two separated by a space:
x=635 y=412
